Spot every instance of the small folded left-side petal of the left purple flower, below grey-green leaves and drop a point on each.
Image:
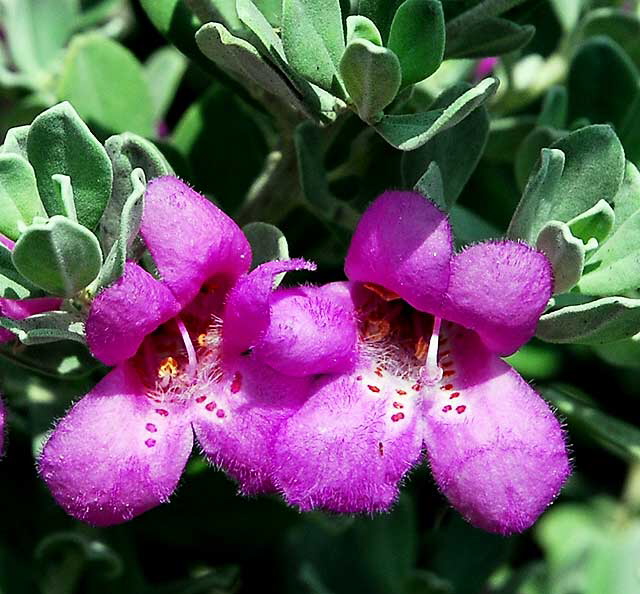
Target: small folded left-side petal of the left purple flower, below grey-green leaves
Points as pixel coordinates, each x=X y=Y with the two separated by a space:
x=127 y=311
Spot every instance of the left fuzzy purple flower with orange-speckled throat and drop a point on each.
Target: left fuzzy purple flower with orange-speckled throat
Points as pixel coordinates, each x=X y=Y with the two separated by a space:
x=187 y=356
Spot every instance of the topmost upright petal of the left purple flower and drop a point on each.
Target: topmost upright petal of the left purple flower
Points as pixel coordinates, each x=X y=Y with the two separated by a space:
x=191 y=240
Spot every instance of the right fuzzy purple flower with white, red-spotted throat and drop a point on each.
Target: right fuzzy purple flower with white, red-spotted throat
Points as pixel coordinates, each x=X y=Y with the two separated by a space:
x=428 y=374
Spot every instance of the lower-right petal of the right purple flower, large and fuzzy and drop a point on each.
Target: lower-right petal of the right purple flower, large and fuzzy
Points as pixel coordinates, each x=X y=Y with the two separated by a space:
x=496 y=450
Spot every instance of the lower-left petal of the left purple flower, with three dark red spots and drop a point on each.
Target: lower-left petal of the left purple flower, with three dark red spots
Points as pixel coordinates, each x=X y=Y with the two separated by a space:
x=116 y=453
